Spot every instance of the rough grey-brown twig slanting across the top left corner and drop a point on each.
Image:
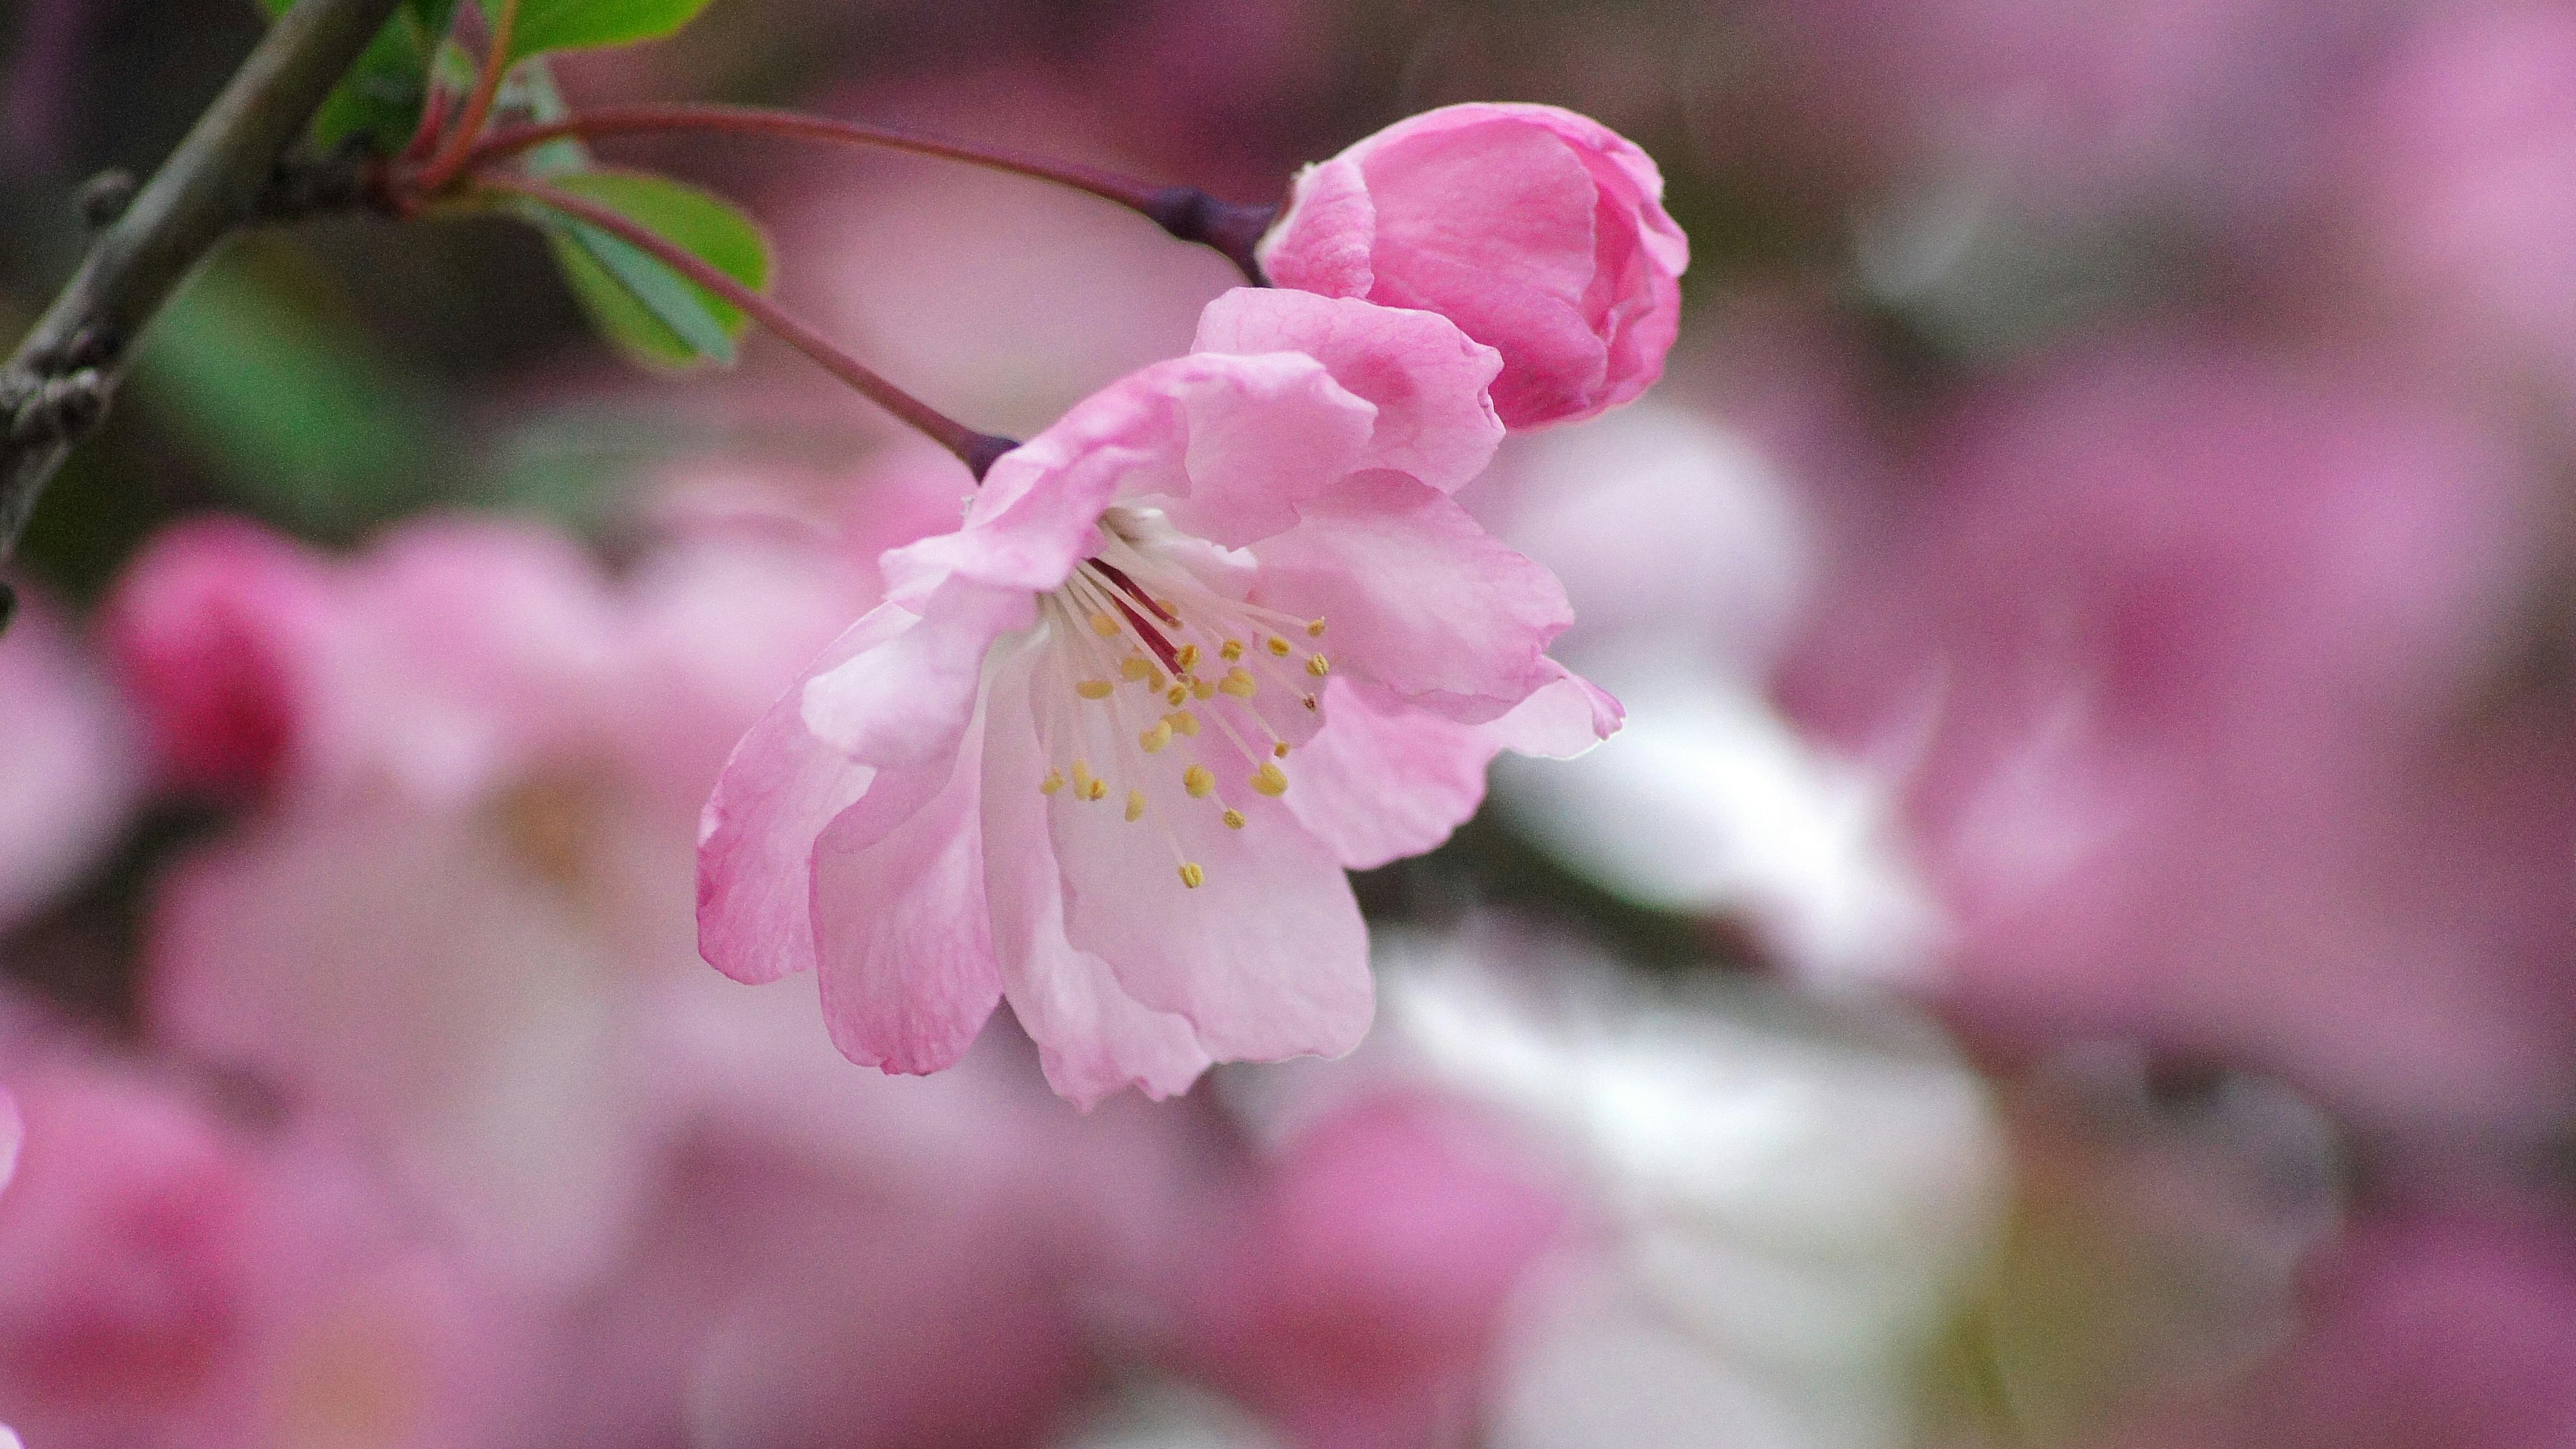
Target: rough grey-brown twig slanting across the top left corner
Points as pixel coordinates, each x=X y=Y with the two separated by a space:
x=66 y=370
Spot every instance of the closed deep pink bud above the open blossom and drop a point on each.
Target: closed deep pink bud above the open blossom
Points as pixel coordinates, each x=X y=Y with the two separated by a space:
x=1542 y=233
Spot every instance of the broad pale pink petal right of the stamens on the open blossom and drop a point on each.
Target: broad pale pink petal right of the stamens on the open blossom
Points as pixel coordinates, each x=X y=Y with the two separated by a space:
x=1418 y=597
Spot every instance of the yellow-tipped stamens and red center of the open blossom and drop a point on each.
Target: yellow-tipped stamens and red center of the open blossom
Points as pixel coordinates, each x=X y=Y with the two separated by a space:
x=1160 y=672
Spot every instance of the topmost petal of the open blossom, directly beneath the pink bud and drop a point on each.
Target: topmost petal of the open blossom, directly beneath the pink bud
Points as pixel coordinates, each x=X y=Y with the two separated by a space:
x=1423 y=375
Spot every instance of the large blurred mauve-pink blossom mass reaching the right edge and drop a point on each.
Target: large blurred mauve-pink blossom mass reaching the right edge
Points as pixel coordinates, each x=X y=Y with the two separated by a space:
x=2178 y=641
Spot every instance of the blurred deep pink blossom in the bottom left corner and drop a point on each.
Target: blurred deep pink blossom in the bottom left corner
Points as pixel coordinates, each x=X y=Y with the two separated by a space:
x=164 y=1280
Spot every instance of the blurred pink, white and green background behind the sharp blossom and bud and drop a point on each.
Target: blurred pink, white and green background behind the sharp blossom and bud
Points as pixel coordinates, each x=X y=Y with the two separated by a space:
x=2078 y=945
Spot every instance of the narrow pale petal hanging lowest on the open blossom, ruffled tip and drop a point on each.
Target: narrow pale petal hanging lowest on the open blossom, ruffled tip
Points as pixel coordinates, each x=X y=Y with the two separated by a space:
x=1094 y=1038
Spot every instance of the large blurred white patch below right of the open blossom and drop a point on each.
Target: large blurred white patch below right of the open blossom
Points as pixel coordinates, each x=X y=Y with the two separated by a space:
x=1789 y=1213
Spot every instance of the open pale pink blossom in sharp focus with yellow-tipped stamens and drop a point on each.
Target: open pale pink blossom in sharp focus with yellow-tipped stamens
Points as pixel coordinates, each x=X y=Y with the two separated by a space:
x=1106 y=749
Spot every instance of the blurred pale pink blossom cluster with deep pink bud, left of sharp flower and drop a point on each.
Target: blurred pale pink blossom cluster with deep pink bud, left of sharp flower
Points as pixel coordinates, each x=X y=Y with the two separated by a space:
x=450 y=922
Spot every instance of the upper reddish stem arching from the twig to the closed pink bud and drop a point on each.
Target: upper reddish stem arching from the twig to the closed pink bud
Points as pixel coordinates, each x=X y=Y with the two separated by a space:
x=1181 y=210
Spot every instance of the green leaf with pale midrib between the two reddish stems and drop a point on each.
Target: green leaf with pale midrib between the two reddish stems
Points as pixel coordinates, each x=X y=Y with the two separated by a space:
x=643 y=306
